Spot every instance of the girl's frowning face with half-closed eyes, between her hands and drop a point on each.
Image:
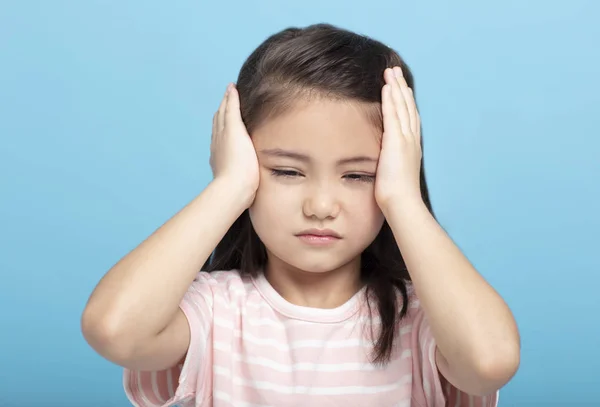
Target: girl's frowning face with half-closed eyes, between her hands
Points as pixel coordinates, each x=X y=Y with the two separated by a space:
x=317 y=174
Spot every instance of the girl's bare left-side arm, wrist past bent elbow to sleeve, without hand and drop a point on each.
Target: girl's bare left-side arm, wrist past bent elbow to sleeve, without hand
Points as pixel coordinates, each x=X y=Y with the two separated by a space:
x=132 y=317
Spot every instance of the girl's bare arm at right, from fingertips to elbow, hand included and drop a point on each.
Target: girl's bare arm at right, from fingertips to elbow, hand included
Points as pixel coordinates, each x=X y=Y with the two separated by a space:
x=478 y=345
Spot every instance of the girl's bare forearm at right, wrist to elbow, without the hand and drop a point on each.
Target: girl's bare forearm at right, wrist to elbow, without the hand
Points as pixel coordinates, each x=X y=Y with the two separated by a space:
x=474 y=329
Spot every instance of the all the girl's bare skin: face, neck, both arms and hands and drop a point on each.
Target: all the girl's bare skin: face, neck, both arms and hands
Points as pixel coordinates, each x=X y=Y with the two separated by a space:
x=478 y=342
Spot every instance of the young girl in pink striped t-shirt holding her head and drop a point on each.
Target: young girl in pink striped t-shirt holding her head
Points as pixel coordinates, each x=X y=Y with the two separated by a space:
x=330 y=281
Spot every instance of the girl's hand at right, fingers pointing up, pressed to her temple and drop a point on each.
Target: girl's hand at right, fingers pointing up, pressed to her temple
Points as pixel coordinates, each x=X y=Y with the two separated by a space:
x=398 y=170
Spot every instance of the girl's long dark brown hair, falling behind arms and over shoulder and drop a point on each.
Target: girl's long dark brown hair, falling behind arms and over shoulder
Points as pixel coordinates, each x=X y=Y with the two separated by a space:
x=322 y=60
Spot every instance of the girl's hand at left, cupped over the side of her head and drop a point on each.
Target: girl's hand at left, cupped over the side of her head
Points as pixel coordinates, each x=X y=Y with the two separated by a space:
x=232 y=154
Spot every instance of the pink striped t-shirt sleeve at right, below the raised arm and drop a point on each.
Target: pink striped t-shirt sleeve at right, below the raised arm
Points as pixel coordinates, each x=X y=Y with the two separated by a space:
x=428 y=383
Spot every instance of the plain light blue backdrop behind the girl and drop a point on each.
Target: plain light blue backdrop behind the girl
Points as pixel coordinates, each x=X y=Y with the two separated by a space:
x=105 y=118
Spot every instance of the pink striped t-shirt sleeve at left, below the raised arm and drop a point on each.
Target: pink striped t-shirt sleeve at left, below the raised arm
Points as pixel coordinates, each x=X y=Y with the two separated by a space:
x=188 y=383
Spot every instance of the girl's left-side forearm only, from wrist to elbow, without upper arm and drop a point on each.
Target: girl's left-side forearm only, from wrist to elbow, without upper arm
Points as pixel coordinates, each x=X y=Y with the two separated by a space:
x=139 y=296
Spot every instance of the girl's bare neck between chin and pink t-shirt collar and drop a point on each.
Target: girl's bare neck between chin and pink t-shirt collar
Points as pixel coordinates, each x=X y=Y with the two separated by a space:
x=329 y=289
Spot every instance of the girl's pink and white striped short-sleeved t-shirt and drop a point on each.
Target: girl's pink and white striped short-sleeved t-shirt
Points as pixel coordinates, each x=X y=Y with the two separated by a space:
x=250 y=347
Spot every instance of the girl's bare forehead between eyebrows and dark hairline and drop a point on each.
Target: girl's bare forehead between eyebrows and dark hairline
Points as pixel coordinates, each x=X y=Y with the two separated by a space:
x=322 y=128
